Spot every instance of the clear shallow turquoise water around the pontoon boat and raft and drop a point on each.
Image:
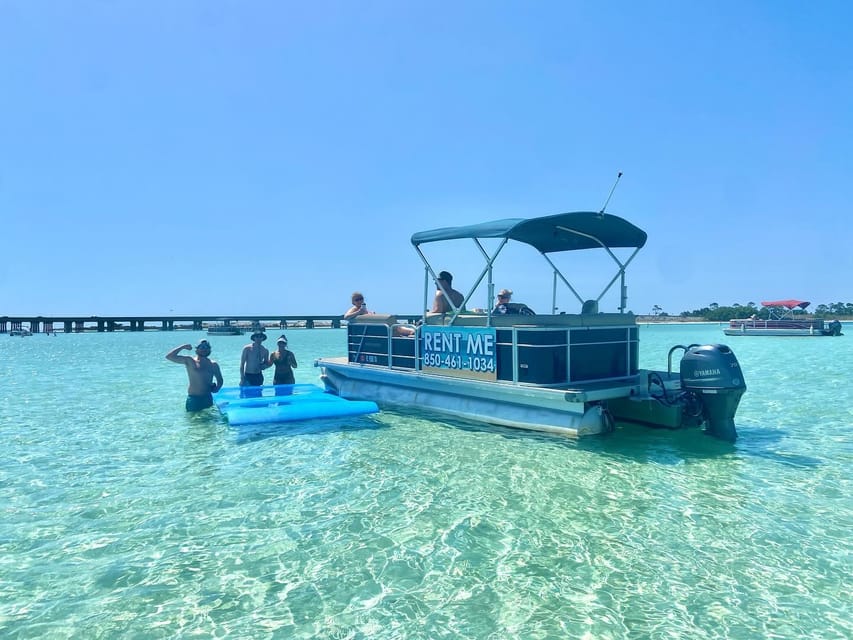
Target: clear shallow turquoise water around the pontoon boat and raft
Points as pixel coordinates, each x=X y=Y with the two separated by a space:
x=125 y=517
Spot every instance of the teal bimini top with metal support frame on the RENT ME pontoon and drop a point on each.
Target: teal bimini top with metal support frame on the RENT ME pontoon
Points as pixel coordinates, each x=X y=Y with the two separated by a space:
x=548 y=234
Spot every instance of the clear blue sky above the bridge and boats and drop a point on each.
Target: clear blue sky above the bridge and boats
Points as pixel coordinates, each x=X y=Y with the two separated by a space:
x=220 y=157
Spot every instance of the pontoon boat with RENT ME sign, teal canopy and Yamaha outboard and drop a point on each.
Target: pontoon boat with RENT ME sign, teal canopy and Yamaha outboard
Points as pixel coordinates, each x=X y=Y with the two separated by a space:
x=573 y=374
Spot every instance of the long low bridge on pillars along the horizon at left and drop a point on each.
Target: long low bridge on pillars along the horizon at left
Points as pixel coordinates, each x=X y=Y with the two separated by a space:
x=79 y=324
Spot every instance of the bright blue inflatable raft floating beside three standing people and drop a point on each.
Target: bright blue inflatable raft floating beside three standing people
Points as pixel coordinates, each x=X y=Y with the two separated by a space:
x=285 y=403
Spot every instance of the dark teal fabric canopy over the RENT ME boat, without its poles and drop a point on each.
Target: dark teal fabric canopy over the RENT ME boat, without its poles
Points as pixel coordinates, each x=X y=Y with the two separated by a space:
x=549 y=234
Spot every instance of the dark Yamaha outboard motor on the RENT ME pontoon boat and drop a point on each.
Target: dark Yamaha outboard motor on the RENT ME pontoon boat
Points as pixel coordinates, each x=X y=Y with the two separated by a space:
x=712 y=373
